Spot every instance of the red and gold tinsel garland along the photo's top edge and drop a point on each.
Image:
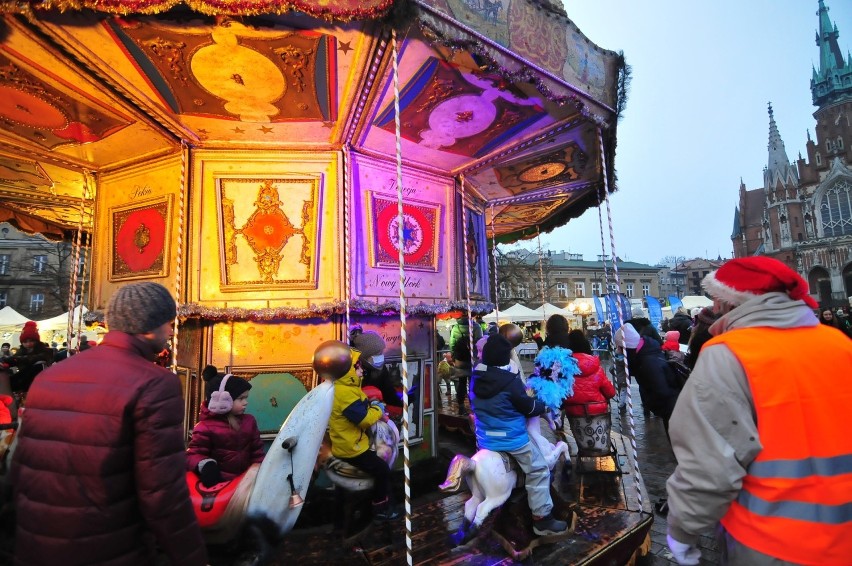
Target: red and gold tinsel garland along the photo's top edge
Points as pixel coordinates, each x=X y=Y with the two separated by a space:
x=365 y=9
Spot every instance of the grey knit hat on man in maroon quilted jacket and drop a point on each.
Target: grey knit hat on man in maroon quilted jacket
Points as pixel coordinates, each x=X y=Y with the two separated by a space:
x=138 y=308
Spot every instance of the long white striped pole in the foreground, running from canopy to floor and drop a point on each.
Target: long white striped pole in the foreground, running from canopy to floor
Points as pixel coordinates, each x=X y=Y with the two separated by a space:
x=406 y=460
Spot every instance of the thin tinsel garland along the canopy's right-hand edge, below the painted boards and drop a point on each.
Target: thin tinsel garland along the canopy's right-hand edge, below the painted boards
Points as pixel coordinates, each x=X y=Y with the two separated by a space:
x=522 y=75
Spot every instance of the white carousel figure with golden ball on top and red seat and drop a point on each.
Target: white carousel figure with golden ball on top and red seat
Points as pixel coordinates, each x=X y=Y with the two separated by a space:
x=269 y=496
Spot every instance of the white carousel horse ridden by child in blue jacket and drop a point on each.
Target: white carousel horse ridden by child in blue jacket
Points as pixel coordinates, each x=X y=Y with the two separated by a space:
x=491 y=477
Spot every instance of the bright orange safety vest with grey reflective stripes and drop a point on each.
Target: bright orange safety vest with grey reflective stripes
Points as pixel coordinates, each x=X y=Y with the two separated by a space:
x=796 y=498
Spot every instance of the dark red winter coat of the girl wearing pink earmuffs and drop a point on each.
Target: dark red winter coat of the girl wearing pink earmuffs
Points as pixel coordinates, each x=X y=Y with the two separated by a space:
x=233 y=450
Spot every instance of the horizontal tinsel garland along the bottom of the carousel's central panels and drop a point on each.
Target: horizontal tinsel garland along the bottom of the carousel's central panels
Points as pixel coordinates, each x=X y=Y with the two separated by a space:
x=323 y=310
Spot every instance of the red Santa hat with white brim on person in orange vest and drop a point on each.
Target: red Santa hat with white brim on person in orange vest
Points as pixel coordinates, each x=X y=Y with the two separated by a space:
x=742 y=279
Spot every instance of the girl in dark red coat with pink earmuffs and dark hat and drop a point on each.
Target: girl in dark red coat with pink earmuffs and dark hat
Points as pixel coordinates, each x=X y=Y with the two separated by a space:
x=225 y=441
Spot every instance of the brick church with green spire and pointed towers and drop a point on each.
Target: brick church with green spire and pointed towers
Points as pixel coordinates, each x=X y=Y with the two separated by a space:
x=803 y=213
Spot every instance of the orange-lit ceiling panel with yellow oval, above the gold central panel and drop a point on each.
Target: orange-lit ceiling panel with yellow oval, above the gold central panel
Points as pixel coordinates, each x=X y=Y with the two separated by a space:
x=262 y=81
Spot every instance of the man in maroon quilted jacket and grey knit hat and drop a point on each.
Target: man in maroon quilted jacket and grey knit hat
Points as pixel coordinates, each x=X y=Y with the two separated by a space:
x=99 y=472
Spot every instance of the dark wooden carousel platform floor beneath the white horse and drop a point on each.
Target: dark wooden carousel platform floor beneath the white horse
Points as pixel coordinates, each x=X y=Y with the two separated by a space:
x=611 y=527
